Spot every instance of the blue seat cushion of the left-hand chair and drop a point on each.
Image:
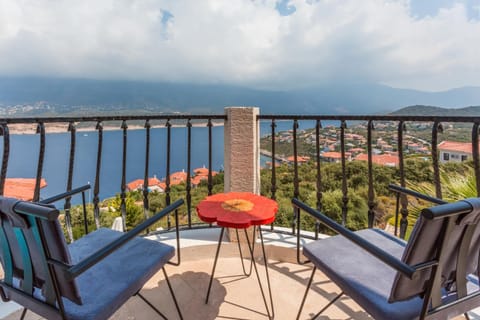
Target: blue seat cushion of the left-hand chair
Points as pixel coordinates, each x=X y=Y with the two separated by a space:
x=106 y=286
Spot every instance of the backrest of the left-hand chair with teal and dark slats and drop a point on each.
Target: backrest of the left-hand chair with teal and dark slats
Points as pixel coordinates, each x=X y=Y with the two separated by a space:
x=30 y=237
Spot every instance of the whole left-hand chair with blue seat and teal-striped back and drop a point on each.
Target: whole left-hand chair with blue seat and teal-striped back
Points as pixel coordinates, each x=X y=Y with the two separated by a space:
x=90 y=278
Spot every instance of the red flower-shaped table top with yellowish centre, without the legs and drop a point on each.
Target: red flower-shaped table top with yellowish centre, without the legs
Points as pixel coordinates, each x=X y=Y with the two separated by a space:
x=237 y=209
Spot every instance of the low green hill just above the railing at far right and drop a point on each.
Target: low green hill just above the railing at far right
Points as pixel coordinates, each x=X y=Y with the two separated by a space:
x=437 y=111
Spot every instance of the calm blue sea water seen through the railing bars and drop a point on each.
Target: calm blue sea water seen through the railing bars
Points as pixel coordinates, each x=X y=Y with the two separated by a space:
x=24 y=152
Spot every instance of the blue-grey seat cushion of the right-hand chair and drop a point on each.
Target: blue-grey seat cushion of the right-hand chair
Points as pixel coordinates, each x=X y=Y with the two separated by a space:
x=360 y=275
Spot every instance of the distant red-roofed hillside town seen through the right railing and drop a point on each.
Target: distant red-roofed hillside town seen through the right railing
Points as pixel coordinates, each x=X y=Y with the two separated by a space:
x=453 y=146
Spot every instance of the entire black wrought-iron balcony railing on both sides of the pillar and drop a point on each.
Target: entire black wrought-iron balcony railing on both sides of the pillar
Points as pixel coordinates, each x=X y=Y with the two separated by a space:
x=188 y=121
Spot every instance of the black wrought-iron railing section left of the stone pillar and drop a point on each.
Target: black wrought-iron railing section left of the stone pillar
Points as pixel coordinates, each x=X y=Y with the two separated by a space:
x=99 y=124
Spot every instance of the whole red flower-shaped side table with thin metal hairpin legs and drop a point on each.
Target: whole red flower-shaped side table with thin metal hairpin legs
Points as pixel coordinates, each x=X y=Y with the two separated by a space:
x=240 y=210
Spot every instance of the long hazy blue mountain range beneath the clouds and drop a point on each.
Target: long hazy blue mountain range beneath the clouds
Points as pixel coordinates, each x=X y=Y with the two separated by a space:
x=70 y=96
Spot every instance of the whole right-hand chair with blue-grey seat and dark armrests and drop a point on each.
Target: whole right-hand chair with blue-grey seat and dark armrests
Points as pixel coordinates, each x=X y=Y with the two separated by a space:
x=432 y=276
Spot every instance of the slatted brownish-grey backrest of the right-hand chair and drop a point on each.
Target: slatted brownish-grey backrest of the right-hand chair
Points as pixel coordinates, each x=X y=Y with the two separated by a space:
x=450 y=236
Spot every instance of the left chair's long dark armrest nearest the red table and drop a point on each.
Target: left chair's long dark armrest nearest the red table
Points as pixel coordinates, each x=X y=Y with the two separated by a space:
x=100 y=254
